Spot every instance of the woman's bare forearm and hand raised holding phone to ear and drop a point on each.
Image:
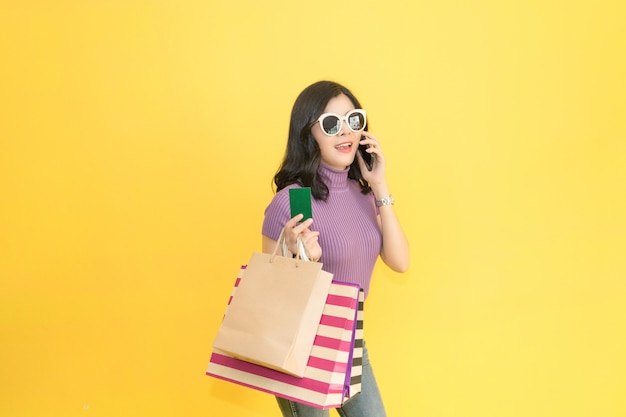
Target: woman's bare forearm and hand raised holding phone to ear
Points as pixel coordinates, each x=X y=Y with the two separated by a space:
x=395 y=250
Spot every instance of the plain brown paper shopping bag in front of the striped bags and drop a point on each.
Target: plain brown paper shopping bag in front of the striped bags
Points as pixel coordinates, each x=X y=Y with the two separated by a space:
x=273 y=320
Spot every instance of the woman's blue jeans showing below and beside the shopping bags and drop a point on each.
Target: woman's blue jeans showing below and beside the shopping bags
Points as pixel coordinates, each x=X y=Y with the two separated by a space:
x=367 y=404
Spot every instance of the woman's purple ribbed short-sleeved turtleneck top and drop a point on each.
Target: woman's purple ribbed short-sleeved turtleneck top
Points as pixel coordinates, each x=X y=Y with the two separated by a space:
x=349 y=234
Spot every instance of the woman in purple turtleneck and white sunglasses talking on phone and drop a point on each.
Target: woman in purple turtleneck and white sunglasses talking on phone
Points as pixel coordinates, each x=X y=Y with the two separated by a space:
x=353 y=217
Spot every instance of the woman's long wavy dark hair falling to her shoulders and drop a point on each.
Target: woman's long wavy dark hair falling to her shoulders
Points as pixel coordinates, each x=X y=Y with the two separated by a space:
x=303 y=156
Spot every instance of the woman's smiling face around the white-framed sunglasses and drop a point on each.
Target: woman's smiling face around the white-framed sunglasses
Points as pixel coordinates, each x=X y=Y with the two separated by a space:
x=338 y=151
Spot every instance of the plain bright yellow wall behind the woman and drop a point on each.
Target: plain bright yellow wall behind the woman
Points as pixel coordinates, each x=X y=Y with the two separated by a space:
x=137 y=144
